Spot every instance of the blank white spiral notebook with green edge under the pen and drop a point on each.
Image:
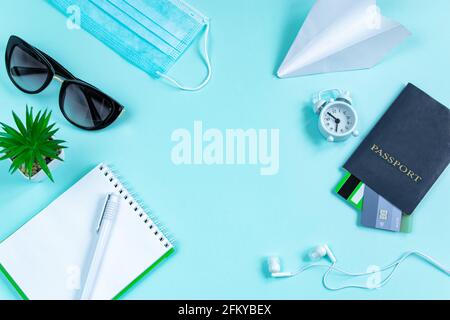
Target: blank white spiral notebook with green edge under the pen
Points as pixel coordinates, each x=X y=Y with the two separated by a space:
x=46 y=258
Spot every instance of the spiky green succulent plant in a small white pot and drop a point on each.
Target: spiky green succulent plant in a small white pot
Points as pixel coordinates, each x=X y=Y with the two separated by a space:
x=32 y=145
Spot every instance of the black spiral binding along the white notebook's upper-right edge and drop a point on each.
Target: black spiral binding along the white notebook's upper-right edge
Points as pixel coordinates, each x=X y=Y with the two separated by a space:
x=142 y=211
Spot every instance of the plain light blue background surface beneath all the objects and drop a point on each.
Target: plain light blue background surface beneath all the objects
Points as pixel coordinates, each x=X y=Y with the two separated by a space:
x=227 y=219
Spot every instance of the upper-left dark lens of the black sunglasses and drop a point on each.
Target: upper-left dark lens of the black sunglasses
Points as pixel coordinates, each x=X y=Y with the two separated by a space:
x=27 y=69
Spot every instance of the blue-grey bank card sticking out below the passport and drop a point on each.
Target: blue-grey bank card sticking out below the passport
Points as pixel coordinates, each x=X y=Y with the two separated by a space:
x=379 y=213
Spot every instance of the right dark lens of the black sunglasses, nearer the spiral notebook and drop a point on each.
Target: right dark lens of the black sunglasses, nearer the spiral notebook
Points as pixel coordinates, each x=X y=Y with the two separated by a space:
x=86 y=107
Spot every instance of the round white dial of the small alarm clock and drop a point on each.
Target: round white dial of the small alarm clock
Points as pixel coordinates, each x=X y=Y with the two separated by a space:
x=338 y=119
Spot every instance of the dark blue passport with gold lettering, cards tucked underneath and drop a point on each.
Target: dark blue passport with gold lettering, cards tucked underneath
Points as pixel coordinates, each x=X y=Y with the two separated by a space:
x=407 y=150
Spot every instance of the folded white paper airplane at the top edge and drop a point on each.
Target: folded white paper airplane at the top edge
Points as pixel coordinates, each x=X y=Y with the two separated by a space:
x=341 y=35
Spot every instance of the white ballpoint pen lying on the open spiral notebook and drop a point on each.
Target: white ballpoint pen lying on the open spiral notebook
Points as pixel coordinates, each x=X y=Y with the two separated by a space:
x=103 y=232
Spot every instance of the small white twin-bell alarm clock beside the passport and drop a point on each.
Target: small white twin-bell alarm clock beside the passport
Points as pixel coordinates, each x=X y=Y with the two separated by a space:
x=337 y=117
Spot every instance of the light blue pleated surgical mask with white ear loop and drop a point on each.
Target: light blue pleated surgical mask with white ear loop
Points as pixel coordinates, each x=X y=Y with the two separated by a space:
x=151 y=34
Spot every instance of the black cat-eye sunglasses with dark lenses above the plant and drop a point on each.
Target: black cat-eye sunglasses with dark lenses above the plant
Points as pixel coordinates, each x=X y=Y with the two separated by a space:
x=83 y=105
